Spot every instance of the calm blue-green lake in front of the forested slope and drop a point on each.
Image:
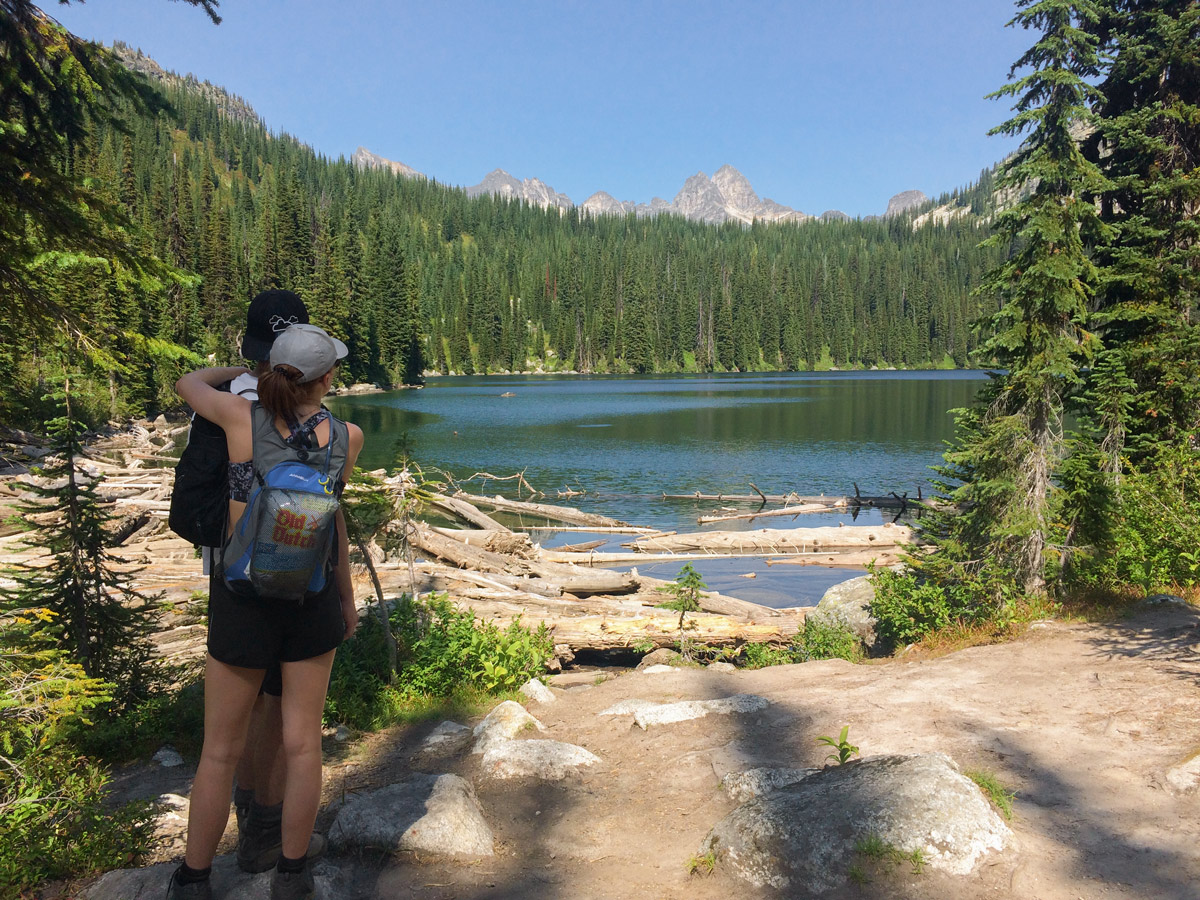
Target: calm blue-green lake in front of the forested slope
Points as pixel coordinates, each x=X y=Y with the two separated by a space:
x=626 y=441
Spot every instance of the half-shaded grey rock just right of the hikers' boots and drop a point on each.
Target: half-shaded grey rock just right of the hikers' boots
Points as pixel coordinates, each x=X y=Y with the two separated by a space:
x=433 y=814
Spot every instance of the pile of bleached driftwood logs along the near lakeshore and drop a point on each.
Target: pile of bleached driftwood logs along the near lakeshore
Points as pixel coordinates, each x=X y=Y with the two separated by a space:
x=483 y=565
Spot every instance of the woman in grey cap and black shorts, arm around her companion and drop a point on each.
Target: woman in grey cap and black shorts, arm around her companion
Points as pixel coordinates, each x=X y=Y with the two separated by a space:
x=249 y=632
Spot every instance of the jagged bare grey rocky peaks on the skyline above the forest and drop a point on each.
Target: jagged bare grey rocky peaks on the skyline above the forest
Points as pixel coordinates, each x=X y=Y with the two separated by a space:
x=727 y=196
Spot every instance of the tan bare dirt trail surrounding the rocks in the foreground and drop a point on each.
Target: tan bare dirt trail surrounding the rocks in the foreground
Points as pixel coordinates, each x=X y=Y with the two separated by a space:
x=1083 y=722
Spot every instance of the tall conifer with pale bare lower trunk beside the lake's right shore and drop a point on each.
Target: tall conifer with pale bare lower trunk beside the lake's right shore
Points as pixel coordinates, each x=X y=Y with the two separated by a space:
x=1010 y=451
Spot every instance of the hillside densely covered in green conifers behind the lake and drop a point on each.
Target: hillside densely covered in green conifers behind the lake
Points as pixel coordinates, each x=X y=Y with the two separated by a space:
x=417 y=278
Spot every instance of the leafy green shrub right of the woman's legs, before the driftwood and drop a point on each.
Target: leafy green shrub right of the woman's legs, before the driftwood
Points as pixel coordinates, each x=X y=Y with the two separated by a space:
x=445 y=653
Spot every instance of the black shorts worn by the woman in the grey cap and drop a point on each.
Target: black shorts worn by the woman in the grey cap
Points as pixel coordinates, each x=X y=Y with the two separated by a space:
x=260 y=633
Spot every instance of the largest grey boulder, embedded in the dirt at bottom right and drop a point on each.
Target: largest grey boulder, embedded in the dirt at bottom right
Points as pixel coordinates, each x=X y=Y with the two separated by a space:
x=806 y=833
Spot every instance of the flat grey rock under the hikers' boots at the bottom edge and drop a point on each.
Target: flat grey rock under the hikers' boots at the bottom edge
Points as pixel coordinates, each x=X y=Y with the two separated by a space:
x=229 y=881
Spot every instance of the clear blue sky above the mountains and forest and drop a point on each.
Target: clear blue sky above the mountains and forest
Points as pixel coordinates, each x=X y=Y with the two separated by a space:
x=821 y=104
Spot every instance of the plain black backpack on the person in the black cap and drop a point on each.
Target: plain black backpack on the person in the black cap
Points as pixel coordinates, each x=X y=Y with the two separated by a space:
x=200 y=502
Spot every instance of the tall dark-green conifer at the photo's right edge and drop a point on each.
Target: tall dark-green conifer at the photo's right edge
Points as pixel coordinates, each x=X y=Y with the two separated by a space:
x=1149 y=145
